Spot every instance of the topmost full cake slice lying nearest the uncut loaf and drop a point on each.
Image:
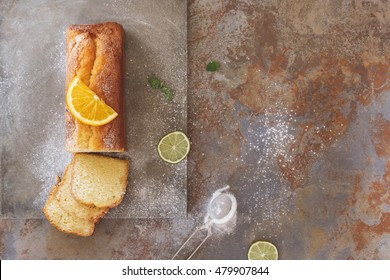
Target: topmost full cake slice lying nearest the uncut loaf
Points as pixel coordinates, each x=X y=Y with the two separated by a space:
x=99 y=180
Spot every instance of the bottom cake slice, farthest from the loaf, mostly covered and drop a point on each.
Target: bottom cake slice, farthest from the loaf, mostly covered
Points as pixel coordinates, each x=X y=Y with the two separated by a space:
x=65 y=221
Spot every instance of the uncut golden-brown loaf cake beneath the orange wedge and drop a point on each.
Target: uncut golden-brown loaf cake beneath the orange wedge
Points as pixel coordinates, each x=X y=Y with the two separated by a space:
x=95 y=54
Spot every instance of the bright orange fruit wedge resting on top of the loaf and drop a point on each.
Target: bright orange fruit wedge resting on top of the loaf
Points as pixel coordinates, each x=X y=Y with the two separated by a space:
x=86 y=106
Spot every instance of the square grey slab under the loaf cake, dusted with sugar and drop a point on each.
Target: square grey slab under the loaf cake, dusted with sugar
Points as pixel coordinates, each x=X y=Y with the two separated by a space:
x=32 y=38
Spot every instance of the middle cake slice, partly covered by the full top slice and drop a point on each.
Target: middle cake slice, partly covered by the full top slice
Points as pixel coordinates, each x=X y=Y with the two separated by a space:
x=69 y=204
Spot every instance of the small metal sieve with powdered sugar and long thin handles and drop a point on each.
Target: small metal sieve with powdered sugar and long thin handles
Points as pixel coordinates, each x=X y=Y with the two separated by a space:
x=221 y=209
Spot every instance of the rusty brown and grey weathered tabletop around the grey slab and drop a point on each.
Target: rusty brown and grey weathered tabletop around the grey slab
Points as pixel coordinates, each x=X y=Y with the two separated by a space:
x=296 y=121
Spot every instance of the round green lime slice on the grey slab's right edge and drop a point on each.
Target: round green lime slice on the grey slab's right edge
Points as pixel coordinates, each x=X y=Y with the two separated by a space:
x=173 y=147
